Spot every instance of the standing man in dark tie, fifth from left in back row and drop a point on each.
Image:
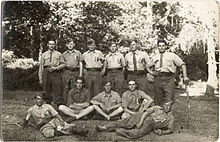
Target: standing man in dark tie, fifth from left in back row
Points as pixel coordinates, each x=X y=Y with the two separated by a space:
x=137 y=64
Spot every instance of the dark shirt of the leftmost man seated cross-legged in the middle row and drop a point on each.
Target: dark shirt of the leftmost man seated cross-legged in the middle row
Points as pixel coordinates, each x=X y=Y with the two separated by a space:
x=78 y=96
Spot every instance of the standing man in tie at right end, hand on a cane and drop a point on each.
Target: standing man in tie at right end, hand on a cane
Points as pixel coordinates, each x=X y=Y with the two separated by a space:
x=165 y=67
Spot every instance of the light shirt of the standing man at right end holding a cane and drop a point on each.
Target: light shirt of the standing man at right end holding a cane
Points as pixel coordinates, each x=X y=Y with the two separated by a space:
x=170 y=61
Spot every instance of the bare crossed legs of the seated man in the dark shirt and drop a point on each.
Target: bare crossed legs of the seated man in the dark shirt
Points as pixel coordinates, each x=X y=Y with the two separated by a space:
x=76 y=113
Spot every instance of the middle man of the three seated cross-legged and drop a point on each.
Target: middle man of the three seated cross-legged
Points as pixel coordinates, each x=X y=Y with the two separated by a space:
x=108 y=102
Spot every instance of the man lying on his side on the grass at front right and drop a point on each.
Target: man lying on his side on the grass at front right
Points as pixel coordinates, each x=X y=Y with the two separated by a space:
x=158 y=119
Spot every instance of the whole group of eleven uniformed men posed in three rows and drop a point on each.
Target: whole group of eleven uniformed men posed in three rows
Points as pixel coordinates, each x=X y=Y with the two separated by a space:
x=73 y=82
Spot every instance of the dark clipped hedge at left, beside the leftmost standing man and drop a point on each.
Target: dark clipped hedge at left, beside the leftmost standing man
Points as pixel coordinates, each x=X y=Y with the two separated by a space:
x=21 y=79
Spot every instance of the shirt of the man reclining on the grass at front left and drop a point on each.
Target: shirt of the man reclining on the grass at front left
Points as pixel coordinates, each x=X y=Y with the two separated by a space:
x=41 y=113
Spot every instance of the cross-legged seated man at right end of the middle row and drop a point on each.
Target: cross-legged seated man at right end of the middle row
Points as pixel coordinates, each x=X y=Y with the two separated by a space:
x=134 y=100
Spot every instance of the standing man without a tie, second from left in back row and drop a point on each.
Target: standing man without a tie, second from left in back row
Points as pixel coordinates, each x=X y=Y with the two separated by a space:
x=73 y=68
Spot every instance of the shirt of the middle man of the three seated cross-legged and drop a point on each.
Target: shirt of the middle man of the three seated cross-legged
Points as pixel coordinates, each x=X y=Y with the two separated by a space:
x=108 y=99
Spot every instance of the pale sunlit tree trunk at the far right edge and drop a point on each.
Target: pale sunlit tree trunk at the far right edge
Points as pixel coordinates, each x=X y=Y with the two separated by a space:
x=212 y=78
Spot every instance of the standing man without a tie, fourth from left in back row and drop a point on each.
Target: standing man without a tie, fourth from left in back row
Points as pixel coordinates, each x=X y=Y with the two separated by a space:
x=115 y=66
